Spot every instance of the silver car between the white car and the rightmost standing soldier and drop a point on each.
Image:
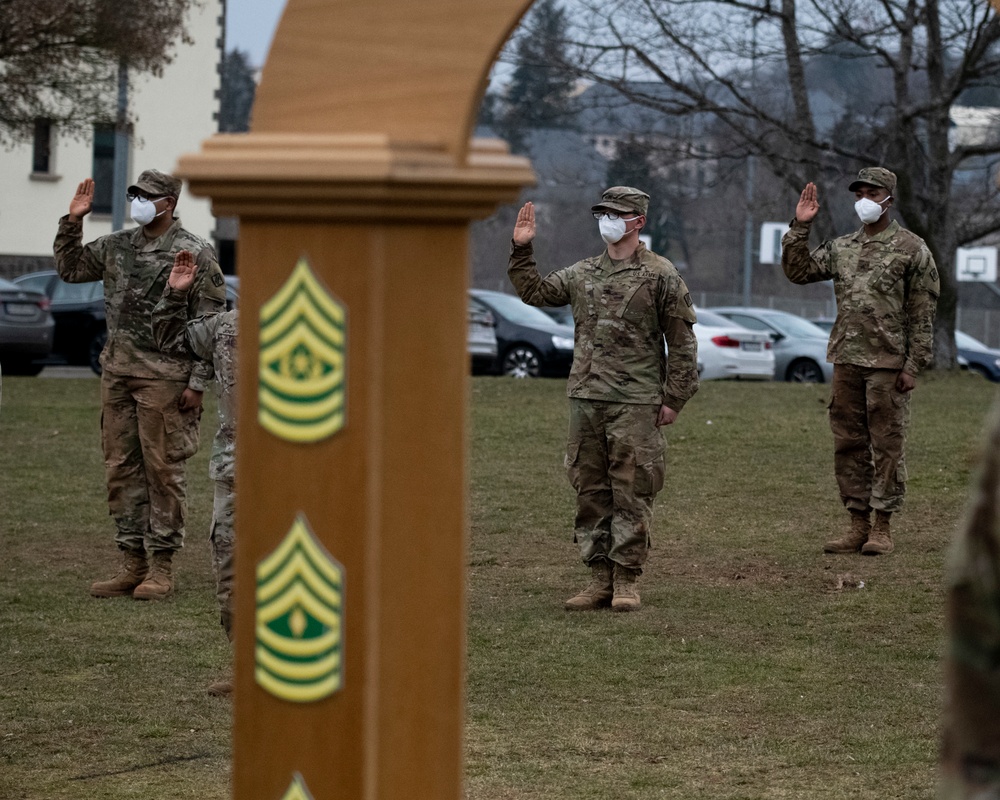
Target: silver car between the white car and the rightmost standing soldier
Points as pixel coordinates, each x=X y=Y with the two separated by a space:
x=799 y=346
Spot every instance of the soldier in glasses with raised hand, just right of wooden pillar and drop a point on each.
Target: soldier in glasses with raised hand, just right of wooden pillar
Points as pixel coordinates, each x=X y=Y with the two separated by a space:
x=623 y=385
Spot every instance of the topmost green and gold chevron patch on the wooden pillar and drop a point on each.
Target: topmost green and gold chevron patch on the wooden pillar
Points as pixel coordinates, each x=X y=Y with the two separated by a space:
x=302 y=377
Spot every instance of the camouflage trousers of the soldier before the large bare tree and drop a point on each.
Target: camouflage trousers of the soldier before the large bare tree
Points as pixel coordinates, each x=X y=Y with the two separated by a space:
x=869 y=418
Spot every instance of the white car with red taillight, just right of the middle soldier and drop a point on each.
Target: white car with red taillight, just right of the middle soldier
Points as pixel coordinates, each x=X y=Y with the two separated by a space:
x=728 y=350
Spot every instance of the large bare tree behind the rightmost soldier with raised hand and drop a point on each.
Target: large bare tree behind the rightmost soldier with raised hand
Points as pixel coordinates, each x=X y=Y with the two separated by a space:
x=815 y=89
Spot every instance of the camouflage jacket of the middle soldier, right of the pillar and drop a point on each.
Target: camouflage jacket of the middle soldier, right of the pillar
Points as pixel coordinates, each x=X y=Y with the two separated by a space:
x=622 y=312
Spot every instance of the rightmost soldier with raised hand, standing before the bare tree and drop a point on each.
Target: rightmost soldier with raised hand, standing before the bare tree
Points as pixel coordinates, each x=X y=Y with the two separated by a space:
x=887 y=287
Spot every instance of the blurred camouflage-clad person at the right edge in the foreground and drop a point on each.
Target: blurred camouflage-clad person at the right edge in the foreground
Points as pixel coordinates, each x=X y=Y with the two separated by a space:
x=970 y=755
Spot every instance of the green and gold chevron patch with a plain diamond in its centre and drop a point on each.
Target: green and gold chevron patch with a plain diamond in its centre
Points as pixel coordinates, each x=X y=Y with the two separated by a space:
x=299 y=624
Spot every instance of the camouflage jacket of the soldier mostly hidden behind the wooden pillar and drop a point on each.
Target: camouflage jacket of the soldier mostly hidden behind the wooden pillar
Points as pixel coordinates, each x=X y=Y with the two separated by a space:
x=212 y=340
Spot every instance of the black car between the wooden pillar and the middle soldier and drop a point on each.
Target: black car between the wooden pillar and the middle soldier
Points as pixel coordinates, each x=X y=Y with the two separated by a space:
x=529 y=342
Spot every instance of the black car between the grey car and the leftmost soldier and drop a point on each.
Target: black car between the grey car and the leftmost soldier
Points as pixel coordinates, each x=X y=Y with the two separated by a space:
x=78 y=311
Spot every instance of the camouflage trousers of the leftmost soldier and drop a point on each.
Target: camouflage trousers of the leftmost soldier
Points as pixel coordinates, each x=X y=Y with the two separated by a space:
x=147 y=440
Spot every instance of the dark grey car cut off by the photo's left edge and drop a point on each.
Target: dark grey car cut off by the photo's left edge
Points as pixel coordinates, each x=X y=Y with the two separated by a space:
x=26 y=329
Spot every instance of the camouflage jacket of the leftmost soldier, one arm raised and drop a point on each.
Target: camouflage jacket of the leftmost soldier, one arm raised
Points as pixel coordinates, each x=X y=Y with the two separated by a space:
x=135 y=272
